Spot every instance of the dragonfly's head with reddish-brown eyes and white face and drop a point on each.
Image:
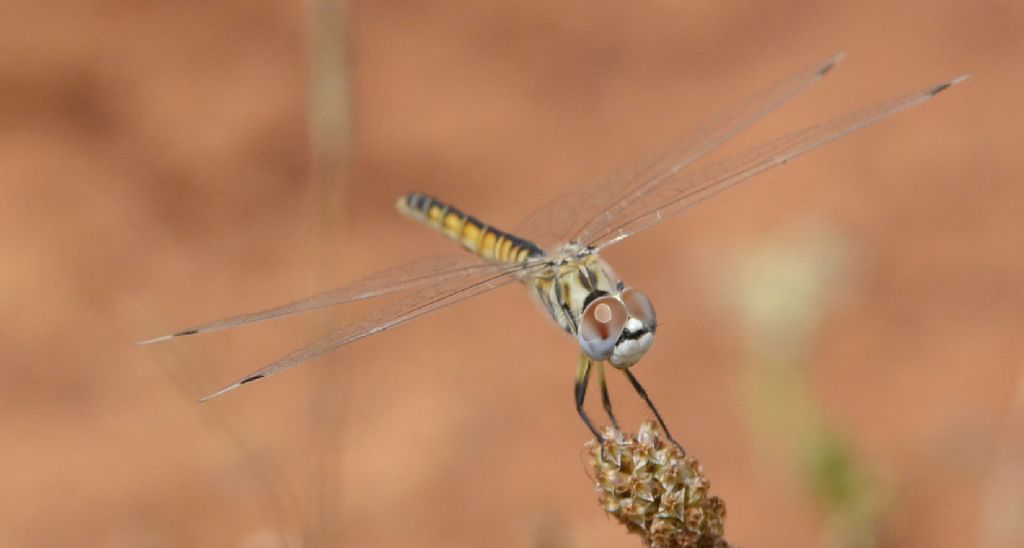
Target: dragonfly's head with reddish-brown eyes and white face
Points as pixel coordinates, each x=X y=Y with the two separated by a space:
x=618 y=328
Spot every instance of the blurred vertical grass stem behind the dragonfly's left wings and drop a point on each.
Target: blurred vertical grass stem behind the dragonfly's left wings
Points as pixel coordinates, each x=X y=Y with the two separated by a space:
x=330 y=138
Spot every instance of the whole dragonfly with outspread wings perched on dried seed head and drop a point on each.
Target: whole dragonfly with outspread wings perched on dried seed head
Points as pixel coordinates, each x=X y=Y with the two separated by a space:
x=561 y=263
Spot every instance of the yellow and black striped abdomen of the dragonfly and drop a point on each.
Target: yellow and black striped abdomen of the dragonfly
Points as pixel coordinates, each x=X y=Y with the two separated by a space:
x=477 y=237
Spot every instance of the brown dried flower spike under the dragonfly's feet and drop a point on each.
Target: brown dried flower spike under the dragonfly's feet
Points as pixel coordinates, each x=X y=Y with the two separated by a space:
x=656 y=492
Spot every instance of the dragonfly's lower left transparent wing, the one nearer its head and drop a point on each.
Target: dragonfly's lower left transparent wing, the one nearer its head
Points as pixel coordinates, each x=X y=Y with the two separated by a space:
x=420 y=304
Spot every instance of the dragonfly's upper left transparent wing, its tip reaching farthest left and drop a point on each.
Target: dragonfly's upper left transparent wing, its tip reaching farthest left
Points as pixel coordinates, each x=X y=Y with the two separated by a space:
x=407 y=277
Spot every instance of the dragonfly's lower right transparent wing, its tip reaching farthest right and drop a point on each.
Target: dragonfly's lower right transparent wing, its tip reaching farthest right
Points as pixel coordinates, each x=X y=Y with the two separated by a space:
x=675 y=192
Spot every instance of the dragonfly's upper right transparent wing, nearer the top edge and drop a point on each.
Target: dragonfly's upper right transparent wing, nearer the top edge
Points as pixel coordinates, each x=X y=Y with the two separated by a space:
x=573 y=214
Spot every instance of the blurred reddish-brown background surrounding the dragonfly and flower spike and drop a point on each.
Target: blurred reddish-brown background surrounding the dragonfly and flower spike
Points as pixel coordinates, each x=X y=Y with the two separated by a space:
x=172 y=163
